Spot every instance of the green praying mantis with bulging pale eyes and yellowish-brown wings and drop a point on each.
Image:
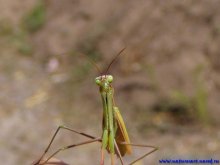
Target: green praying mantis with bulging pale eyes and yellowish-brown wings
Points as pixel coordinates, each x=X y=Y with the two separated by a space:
x=114 y=137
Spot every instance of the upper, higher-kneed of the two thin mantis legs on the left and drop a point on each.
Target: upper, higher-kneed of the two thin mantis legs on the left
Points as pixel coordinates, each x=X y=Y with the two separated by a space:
x=55 y=134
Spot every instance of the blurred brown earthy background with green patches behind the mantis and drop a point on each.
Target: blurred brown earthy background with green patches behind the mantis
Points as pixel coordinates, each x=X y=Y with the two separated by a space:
x=167 y=81
